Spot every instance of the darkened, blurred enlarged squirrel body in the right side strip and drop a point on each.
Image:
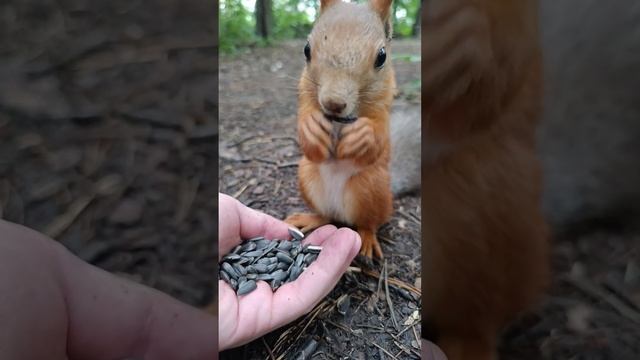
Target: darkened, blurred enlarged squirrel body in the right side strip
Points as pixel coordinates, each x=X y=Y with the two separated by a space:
x=485 y=250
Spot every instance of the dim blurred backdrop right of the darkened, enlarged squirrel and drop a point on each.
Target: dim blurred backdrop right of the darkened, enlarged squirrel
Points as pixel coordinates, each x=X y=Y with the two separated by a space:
x=589 y=142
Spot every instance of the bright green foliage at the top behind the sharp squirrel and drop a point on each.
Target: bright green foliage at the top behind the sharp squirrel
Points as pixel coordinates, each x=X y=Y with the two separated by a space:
x=291 y=19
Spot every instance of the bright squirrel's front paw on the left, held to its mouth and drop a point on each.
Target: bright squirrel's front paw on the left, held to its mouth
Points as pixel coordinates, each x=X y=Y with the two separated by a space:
x=315 y=140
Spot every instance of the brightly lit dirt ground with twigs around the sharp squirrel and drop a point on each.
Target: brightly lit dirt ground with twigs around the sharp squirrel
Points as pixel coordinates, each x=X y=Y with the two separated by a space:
x=258 y=165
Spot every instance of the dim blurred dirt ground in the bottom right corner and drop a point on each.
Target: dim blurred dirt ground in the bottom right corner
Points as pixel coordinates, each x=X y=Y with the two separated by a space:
x=592 y=310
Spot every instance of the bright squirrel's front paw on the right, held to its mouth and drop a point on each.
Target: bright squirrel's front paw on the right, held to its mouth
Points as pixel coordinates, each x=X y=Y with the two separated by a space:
x=358 y=142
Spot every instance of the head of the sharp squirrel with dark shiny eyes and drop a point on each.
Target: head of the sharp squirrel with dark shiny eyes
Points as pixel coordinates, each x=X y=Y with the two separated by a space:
x=348 y=66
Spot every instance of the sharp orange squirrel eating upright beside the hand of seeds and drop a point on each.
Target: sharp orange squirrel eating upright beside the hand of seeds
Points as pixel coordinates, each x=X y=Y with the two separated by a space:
x=345 y=96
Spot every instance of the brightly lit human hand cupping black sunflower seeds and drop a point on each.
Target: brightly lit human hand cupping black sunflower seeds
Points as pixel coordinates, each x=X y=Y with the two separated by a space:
x=248 y=317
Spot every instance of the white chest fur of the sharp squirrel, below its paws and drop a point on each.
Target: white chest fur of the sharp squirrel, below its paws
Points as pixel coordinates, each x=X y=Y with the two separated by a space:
x=334 y=175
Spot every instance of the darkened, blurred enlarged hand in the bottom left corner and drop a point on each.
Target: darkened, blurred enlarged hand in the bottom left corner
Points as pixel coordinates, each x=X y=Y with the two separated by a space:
x=55 y=306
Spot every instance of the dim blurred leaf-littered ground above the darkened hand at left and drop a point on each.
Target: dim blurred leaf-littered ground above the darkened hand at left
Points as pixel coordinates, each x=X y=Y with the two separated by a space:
x=108 y=132
